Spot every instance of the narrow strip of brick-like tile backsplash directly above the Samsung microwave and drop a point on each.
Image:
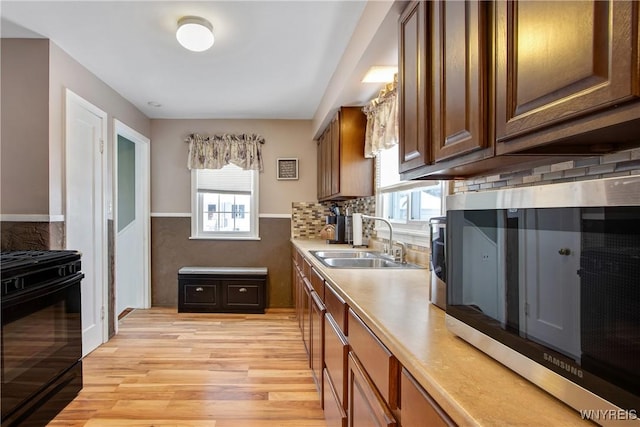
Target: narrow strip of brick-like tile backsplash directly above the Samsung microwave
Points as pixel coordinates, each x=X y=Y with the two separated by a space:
x=622 y=163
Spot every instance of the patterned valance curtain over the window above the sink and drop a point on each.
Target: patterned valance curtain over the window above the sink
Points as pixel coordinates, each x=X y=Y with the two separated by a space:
x=382 y=121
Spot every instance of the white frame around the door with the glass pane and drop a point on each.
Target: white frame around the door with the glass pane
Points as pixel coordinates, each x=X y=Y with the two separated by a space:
x=143 y=163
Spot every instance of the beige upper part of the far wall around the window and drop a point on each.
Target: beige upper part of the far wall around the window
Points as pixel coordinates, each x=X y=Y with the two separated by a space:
x=171 y=180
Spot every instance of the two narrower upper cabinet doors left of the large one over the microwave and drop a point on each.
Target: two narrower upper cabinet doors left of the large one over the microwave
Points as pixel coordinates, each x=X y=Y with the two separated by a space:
x=443 y=85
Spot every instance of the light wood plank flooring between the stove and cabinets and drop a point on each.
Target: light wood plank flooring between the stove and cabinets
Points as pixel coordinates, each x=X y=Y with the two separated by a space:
x=217 y=370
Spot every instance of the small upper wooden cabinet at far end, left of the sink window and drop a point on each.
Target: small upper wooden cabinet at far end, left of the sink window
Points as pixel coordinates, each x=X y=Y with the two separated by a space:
x=343 y=171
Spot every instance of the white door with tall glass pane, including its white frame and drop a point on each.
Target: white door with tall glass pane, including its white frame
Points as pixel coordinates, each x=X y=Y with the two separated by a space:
x=131 y=213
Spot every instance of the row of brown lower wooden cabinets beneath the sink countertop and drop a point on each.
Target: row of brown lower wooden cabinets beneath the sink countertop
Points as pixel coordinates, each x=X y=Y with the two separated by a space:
x=359 y=381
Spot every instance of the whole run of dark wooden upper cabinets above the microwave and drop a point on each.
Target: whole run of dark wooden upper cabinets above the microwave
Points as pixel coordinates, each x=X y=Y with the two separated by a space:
x=495 y=86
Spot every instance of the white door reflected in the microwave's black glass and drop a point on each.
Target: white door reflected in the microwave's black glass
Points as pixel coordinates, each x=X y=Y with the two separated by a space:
x=552 y=306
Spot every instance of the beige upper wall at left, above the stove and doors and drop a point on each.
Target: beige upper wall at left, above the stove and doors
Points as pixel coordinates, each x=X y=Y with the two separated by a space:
x=35 y=74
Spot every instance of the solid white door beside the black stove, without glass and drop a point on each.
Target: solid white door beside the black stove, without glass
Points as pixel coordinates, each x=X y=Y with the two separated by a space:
x=85 y=210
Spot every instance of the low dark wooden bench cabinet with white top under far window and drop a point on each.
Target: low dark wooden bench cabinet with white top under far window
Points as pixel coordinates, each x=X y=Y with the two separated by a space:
x=222 y=289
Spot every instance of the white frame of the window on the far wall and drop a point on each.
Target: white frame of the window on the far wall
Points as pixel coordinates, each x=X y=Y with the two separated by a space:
x=198 y=212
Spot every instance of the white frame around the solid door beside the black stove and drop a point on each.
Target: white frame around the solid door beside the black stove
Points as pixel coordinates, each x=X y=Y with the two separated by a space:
x=101 y=220
